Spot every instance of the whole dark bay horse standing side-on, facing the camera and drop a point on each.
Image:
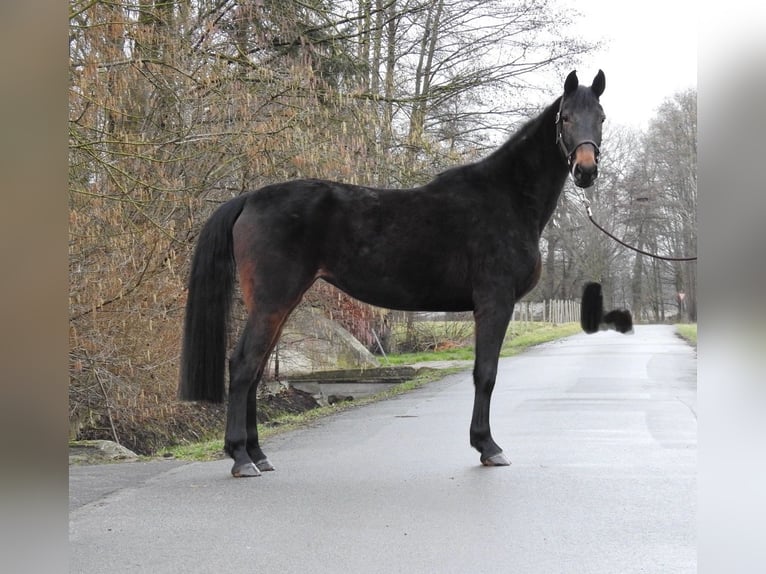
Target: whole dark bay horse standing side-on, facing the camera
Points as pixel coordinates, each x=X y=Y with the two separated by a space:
x=468 y=240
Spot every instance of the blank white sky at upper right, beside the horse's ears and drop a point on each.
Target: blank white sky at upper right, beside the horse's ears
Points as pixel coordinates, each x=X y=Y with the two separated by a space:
x=649 y=53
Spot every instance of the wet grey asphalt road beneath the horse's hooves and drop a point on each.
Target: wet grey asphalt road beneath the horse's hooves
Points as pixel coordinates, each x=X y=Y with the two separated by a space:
x=601 y=431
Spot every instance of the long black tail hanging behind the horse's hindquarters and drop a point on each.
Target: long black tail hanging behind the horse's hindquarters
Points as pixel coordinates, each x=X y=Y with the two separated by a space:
x=208 y=304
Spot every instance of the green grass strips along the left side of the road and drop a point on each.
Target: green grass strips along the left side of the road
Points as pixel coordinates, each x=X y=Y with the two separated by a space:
x=519 y=338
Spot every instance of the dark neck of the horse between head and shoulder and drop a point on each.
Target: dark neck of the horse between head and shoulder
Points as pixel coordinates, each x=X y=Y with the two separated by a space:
x=530 y=167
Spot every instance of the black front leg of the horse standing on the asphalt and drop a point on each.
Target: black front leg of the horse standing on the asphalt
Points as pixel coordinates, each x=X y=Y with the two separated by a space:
x=491 y=325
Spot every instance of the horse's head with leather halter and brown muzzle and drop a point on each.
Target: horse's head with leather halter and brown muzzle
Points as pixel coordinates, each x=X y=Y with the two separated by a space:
x=578 y=127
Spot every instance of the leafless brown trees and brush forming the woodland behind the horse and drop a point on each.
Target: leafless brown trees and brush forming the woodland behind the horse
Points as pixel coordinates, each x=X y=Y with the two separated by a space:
x=178 y=105
